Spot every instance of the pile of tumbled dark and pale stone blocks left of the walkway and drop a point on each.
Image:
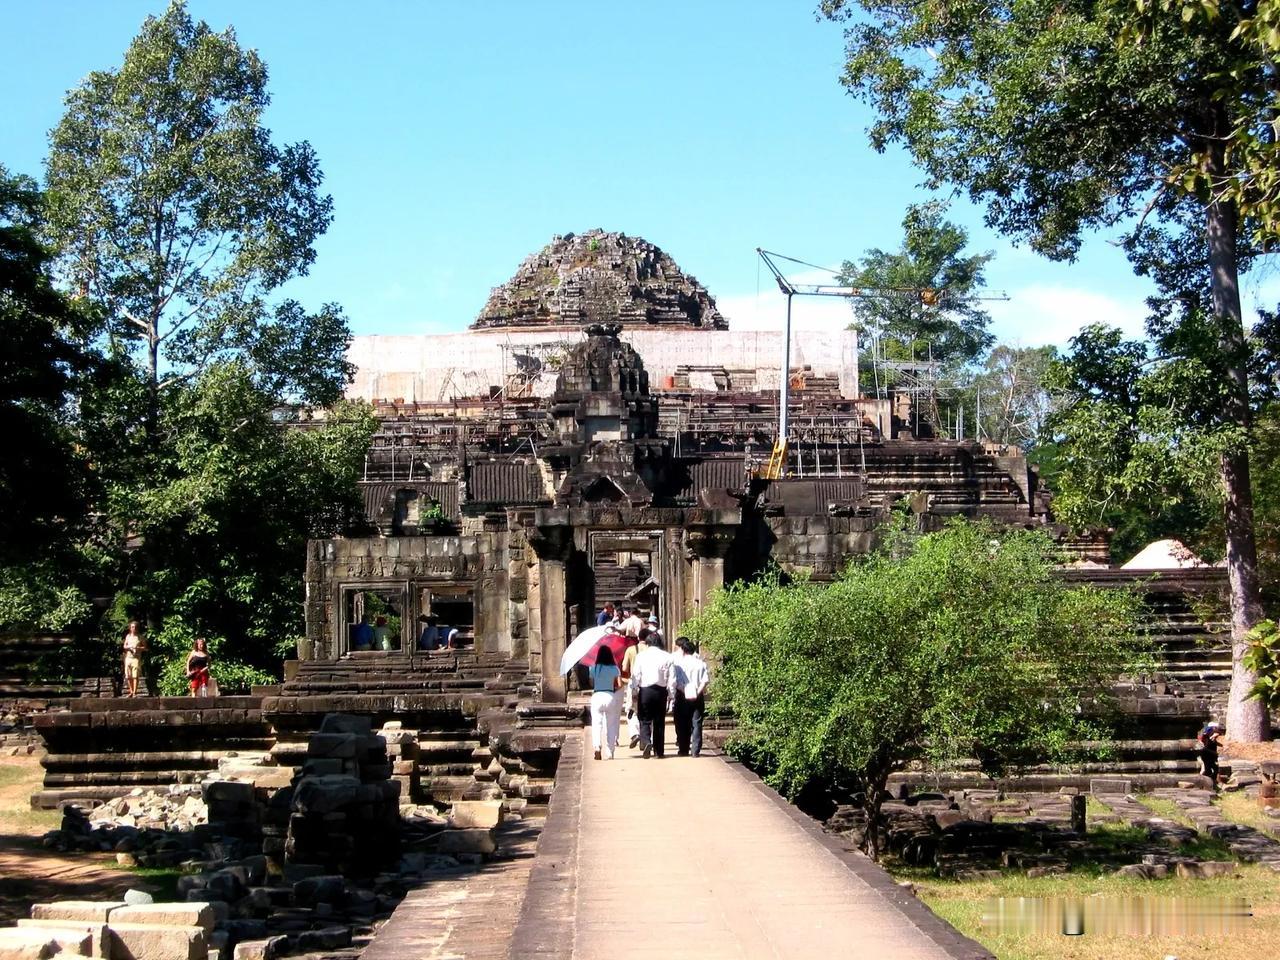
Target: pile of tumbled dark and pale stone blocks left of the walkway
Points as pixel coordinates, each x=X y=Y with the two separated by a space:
x=269 y=870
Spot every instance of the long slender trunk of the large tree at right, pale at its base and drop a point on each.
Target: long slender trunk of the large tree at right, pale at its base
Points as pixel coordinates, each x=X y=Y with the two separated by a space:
x=1247 y=719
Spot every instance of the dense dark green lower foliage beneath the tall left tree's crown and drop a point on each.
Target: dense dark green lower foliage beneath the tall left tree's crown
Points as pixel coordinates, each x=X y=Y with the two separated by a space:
x=225 y=518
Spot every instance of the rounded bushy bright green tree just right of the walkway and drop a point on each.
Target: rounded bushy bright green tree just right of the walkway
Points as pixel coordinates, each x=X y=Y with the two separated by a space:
x=962 y=644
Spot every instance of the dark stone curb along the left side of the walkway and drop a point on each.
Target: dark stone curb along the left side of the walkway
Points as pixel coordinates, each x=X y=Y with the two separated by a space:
x=542 y=931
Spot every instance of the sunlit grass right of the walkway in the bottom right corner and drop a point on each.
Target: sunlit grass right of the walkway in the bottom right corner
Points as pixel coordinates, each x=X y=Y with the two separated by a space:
x=962 y=903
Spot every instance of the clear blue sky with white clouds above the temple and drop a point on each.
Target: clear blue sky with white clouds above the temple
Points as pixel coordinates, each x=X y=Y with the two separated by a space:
x=458 y=139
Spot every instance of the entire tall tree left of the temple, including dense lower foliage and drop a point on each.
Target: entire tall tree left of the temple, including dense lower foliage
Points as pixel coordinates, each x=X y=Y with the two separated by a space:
x=173 y=209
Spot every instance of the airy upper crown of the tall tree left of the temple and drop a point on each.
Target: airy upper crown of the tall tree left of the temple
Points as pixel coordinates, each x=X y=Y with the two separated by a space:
x=170 y=202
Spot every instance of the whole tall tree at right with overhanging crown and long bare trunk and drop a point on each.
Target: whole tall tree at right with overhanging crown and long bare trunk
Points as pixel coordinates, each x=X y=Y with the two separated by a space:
x=1041 y=115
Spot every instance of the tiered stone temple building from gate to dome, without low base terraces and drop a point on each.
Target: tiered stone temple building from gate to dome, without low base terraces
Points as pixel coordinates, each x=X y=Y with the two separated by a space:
x=597 y=437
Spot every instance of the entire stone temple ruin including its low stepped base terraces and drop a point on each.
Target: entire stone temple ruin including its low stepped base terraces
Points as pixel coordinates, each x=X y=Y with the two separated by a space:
x=598 y=436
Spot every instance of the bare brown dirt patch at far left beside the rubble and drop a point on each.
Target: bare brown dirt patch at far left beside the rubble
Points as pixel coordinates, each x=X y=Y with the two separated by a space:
x=31 y=875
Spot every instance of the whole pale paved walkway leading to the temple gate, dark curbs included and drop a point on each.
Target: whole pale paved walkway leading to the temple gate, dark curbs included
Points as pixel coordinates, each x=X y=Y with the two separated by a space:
x=697 y=858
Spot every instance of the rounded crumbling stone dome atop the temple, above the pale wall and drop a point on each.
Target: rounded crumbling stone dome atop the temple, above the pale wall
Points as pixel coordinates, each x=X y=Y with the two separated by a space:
x=598 y=277
